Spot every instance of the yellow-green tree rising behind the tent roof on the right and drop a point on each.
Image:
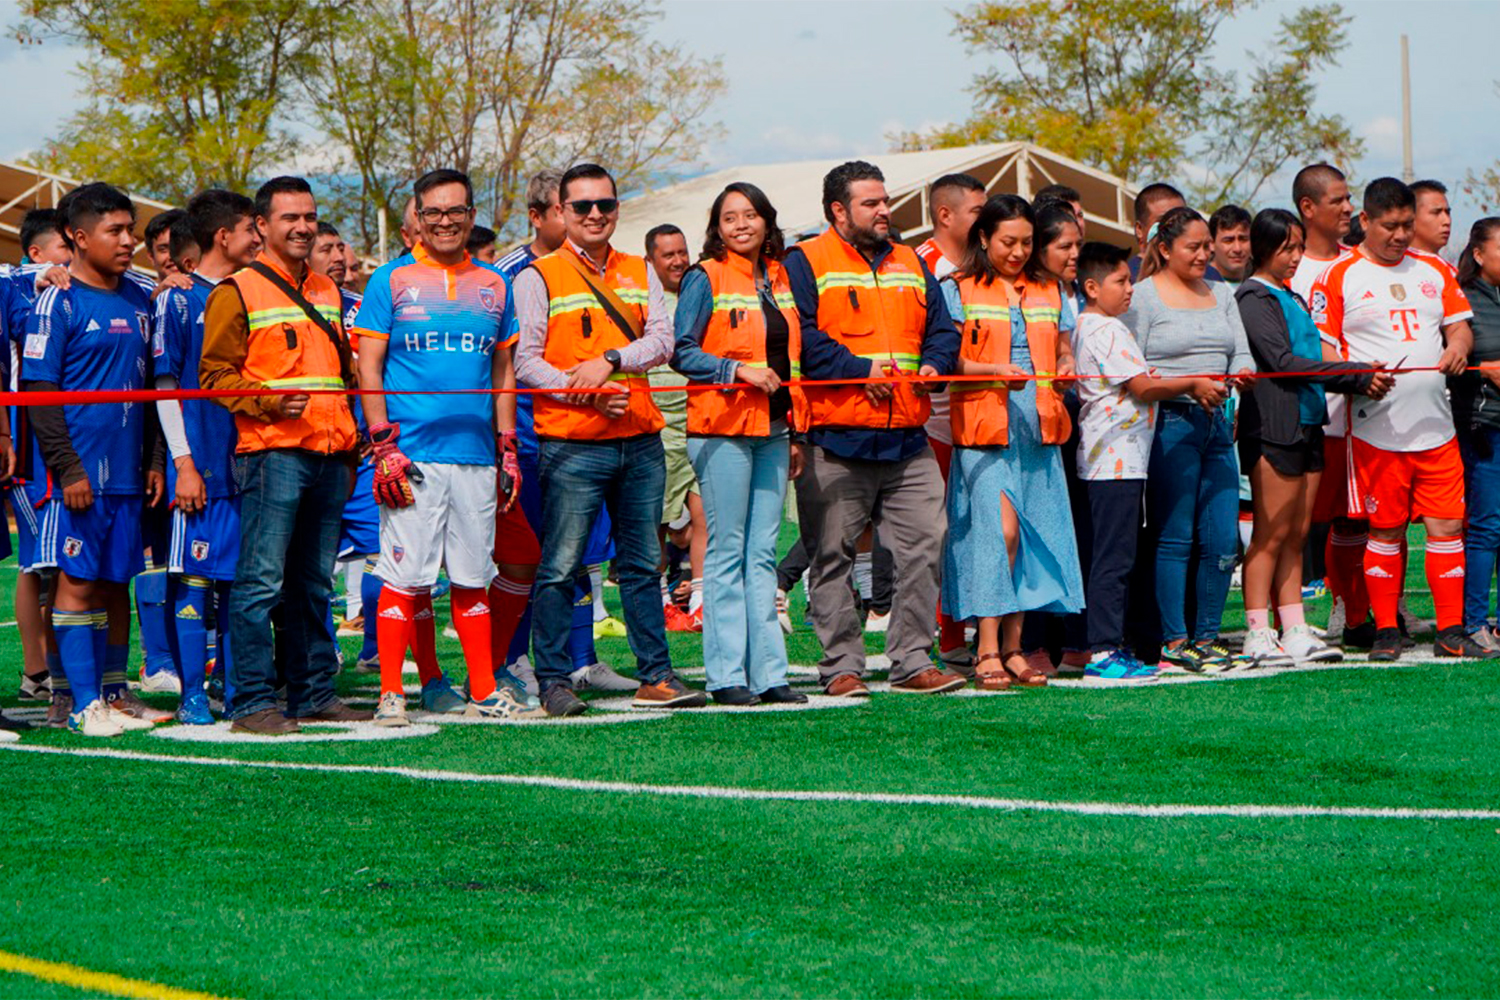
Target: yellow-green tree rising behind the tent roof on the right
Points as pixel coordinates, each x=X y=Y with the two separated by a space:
x=1130 y=86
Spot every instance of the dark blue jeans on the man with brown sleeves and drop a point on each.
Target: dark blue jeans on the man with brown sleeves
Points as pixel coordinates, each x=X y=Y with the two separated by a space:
x=290 y=516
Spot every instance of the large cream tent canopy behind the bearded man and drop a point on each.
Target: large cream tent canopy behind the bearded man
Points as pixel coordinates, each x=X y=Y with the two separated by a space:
x=796 y=190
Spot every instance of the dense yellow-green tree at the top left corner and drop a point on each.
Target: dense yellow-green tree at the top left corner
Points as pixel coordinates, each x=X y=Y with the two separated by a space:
x=181 y=95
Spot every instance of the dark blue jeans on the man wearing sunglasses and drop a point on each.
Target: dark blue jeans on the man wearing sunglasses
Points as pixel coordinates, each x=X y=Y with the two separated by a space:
x=626 y=478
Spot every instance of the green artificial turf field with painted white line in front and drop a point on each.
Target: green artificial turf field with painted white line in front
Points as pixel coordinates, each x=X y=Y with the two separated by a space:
x=664 y=857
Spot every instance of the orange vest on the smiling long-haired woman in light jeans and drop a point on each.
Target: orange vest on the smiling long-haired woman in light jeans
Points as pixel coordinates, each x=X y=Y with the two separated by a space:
x=737 y=331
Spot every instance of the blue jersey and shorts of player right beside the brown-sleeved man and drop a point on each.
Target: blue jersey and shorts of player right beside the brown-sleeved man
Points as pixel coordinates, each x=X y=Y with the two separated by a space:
x=178 y=349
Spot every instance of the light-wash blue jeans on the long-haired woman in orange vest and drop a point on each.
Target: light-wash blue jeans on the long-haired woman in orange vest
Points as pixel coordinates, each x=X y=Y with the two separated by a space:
x=743 y=482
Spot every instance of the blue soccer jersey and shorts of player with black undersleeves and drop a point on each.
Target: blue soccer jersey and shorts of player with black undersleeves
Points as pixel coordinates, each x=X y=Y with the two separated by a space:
x=89 y=340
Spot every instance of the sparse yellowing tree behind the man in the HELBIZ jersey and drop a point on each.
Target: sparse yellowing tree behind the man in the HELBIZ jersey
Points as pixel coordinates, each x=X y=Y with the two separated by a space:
x=500 y=91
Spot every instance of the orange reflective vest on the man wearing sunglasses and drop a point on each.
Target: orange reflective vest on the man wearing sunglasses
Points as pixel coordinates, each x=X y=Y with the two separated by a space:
x=581 y=331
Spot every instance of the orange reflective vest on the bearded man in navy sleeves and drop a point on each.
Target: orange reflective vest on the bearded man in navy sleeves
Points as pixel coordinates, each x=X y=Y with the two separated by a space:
x=878 y=314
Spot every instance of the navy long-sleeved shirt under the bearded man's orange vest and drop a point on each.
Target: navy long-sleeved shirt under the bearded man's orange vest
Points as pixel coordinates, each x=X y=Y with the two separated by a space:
x=827 y=359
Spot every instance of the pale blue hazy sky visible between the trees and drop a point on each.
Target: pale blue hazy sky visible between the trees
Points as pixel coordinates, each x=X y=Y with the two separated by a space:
x=815 y=79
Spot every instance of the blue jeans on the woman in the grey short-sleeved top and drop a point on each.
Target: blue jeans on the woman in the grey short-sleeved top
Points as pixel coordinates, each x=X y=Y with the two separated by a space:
x=1195 y=504
